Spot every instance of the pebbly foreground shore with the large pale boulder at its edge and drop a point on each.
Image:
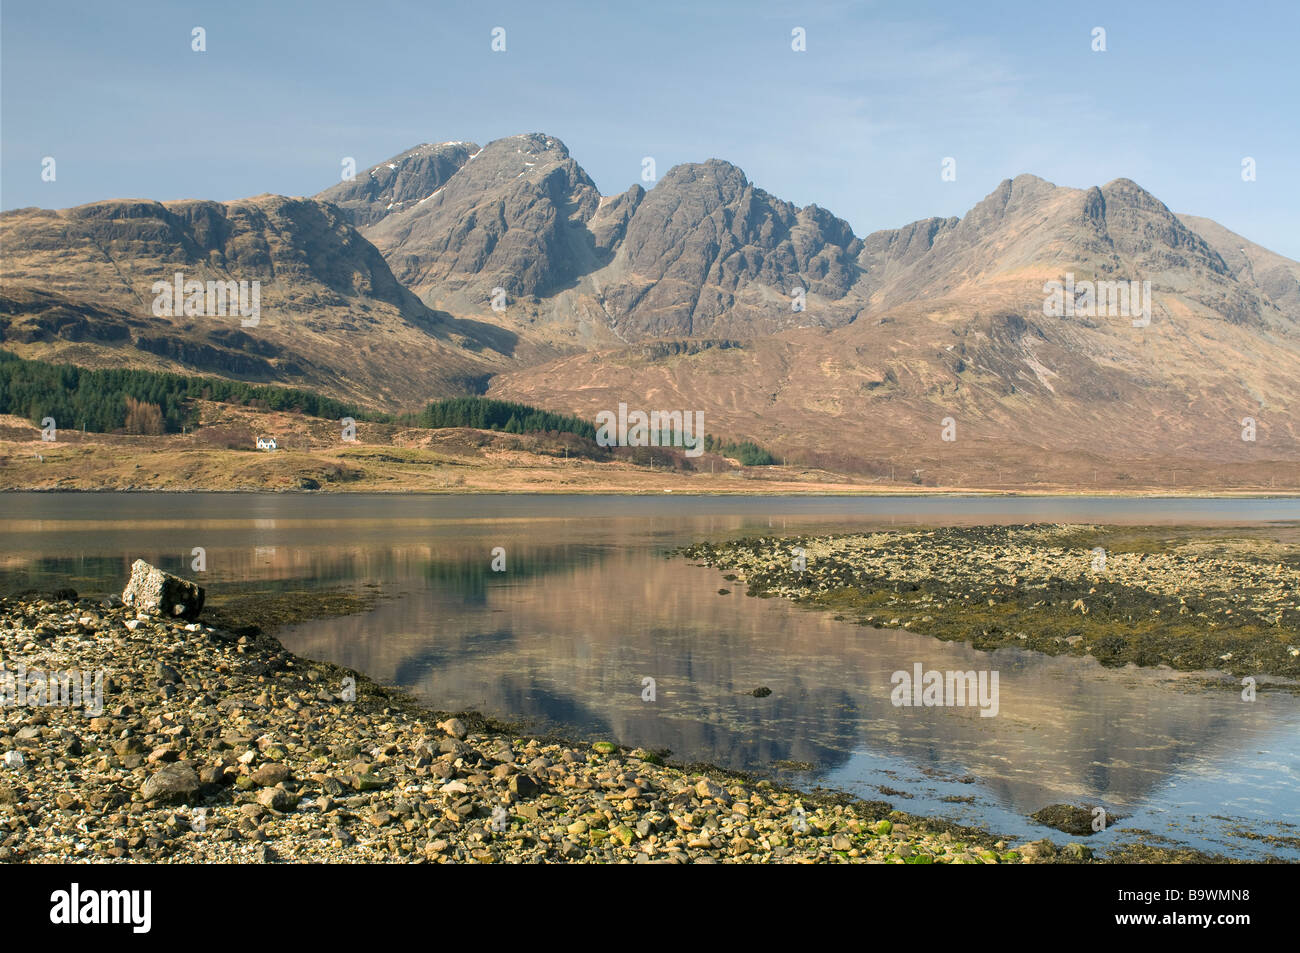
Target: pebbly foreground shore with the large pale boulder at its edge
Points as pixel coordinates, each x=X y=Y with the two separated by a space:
x=263 y=746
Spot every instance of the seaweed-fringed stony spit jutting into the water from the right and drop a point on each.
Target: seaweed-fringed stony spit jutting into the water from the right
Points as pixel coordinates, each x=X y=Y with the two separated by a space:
x=1123 y=595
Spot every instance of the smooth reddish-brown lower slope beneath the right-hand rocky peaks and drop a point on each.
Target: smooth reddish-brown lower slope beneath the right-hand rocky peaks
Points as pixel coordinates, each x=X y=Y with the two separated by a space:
x=1033 y=400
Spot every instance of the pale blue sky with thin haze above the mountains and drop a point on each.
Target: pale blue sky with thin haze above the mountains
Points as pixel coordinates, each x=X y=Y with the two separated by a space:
x=859 y=124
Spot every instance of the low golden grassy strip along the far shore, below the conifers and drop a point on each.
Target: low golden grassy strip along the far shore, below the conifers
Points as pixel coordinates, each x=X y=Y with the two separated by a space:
x=465 y=461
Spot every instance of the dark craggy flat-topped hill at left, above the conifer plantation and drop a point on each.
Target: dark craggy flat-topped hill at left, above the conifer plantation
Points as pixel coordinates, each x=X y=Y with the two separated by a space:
x=79 y=285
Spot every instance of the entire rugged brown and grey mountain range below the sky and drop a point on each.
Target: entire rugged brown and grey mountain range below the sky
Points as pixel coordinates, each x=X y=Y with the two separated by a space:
x=456 y=268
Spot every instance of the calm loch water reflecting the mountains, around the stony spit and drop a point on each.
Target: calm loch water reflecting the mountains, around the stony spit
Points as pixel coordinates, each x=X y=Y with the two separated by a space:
x=590 y=607
